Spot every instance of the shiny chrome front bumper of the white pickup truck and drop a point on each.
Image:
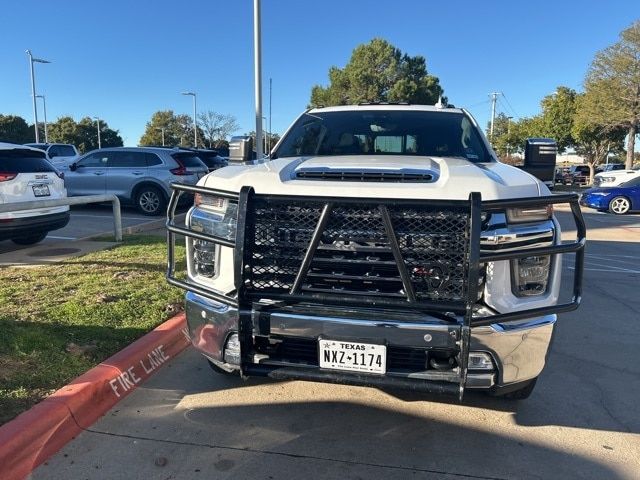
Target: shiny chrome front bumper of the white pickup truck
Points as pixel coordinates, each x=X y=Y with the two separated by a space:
x=519 y=349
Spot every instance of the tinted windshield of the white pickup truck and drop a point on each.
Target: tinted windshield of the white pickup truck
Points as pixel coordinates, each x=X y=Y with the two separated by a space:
x=382 y=132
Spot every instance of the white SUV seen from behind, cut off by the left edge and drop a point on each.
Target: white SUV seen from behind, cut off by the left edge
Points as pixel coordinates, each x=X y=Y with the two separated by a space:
x=26 y=175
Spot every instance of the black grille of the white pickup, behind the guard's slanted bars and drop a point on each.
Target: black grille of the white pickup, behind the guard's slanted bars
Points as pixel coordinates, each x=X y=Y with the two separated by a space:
x=354 y=255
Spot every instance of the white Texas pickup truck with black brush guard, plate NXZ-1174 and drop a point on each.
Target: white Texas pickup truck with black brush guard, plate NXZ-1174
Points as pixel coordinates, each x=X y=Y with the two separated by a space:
x=378 y=245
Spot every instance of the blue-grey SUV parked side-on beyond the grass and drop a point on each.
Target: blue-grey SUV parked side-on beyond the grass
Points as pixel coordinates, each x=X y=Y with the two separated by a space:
x=137 y=175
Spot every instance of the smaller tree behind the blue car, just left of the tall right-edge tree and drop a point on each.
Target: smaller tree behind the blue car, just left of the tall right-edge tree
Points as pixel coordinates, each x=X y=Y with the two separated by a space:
x=593 y=140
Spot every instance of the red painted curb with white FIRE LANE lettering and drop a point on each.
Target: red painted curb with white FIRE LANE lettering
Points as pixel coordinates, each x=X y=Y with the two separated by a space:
x=38 y=433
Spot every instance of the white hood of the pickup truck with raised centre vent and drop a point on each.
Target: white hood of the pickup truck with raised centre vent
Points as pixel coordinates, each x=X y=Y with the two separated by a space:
x=452 y=178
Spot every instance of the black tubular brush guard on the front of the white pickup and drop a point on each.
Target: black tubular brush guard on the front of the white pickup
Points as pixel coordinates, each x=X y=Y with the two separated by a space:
x=459 y=299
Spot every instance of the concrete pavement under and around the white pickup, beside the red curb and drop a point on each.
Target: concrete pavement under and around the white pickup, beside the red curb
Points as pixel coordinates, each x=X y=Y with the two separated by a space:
x=581 y=422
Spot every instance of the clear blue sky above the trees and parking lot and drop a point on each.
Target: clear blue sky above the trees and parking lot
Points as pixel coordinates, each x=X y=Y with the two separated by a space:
x=123 y=60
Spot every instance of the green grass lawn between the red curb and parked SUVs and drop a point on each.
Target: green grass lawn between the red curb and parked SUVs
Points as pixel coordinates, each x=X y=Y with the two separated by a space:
x=60 y=320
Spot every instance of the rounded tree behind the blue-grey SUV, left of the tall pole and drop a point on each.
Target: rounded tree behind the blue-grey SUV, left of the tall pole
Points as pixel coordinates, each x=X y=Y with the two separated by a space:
x=178 y=130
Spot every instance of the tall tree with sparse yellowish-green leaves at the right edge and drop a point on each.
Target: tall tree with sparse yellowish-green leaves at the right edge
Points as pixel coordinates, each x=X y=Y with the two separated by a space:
x=613 y=80
